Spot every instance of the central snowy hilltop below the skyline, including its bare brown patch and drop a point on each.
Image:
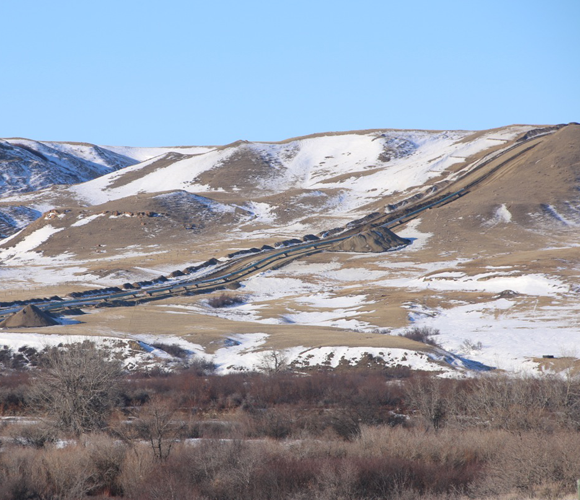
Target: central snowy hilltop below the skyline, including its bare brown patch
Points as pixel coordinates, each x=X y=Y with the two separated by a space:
x=363 y=166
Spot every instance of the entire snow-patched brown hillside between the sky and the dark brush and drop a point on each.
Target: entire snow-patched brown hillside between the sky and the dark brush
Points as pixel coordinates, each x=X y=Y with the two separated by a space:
x=485 y=247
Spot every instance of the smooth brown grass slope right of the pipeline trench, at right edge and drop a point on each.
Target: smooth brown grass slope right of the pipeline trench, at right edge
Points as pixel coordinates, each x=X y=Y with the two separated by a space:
x=539 y=189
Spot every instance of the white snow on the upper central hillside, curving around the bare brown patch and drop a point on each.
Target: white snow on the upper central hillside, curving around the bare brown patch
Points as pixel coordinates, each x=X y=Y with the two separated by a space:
x=363 y=167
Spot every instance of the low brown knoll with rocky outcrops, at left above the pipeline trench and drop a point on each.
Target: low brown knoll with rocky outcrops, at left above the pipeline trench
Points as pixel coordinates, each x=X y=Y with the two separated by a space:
x=144 y=219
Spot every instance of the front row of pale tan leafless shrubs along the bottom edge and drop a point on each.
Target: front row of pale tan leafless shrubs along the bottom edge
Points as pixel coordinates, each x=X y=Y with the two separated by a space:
x=400 y=464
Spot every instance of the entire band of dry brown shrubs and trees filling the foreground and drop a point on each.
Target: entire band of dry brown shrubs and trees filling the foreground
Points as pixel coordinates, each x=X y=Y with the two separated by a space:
x=325 y=435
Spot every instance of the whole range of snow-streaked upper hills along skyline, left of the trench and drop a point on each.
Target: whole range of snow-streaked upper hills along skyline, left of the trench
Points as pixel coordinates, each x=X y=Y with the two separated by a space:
x=343 y=175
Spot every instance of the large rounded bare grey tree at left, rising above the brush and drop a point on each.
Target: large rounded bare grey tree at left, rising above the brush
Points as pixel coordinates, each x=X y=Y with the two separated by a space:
x=77 y=387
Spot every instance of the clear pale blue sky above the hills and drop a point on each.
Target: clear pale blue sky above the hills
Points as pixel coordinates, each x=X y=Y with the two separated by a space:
x=145 y=73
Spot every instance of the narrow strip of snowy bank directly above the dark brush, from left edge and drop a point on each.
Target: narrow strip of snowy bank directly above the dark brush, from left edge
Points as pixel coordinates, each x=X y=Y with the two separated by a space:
x=240 y=352
